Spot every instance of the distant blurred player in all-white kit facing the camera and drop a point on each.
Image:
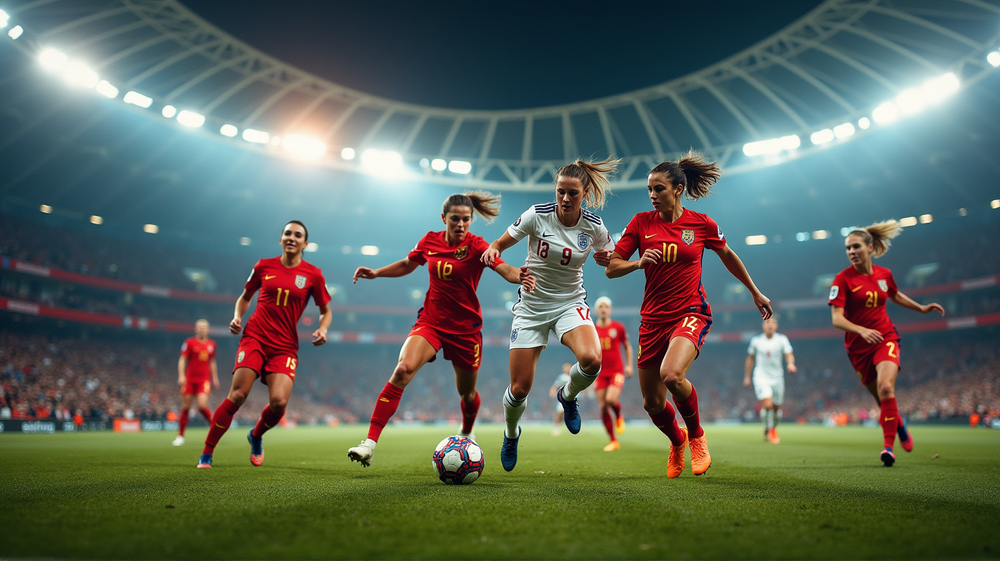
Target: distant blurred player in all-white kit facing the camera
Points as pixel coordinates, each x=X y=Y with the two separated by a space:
x=764 y=363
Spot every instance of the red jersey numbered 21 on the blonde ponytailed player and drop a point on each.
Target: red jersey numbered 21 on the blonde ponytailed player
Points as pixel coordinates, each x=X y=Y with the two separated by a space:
x=863 y=298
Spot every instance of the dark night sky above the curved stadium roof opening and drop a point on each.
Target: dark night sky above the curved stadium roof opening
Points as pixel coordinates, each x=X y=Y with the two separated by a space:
x=500 y=55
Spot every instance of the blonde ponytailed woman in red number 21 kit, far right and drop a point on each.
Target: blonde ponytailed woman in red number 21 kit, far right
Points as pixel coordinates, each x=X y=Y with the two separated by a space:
x=857 y=300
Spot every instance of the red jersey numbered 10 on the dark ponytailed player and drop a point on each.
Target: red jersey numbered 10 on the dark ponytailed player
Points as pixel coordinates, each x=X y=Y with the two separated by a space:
x=673 y=286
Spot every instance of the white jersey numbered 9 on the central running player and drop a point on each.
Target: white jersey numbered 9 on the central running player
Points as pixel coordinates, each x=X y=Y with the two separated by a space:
x=556 y=255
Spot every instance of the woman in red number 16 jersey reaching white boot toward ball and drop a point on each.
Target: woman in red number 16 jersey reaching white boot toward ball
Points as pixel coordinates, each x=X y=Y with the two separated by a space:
x=450 y=318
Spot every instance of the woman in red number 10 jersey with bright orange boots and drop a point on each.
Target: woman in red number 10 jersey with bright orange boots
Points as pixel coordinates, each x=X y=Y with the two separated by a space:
x=675 y=313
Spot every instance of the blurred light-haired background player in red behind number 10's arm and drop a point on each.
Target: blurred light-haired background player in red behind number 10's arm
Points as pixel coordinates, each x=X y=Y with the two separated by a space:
x=613 y=372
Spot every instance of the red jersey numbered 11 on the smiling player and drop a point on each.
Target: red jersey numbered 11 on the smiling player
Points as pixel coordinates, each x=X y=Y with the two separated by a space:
x=284 y=293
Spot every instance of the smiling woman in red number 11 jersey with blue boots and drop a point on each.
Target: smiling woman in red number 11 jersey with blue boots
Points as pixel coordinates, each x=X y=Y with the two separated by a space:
x=269 y=347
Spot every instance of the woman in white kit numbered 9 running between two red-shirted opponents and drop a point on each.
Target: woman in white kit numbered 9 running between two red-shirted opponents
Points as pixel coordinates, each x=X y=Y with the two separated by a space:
x=561 y=235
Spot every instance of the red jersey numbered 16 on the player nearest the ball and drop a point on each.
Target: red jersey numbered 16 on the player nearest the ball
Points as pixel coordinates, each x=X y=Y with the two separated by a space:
x=451 y=304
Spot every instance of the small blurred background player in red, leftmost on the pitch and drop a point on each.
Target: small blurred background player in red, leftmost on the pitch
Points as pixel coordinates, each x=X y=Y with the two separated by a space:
x=197 y=374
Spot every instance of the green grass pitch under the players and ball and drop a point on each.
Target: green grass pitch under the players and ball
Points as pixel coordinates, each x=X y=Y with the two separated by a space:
x=821 y=493
